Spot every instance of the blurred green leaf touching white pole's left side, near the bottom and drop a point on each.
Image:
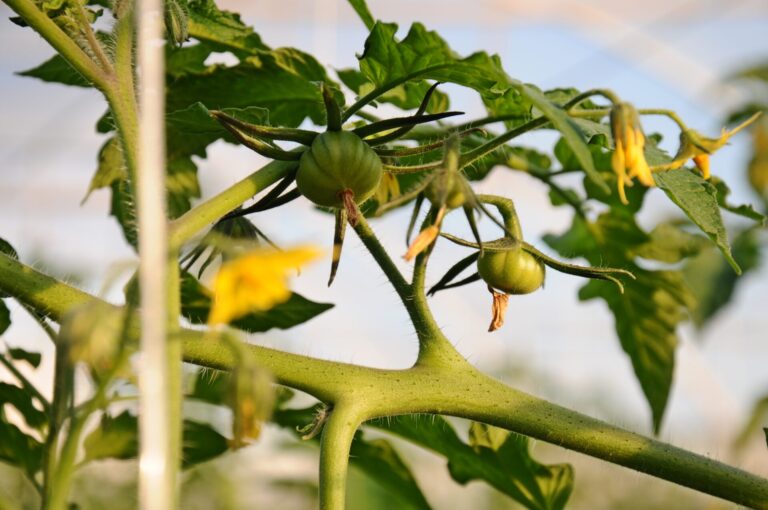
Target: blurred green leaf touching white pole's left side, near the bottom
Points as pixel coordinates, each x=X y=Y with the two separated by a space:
x=116 y=437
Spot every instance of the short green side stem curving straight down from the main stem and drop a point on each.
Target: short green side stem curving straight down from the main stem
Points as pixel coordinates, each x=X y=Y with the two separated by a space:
x=338 y=433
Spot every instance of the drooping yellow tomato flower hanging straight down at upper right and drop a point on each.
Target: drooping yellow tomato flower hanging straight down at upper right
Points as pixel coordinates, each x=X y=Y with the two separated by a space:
x=628 y=160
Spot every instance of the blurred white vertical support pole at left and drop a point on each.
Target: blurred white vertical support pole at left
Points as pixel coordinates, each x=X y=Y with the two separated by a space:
x=157 y=483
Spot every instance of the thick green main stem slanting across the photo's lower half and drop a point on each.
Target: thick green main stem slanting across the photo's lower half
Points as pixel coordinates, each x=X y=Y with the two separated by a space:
x=457 y=390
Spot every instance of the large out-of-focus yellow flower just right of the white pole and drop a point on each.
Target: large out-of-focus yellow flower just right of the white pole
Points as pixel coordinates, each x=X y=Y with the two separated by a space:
x=256 y=281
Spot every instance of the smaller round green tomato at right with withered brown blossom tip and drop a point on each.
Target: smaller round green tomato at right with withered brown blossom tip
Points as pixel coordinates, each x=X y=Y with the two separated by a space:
x=512 y=271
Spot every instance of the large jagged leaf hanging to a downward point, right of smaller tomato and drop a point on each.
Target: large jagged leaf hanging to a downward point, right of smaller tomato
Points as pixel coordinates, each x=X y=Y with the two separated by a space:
x=652 y=305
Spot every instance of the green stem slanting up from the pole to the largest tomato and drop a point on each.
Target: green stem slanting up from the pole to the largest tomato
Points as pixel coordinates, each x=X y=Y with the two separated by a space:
x=192 y=222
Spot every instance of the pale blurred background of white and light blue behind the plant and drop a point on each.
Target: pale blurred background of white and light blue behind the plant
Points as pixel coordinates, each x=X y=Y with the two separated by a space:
x=673 y=54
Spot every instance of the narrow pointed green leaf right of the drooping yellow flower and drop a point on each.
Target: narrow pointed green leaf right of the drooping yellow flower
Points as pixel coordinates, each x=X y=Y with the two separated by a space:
x=697 y=198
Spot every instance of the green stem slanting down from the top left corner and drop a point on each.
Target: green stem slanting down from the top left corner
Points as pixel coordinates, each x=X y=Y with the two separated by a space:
x=61 y=42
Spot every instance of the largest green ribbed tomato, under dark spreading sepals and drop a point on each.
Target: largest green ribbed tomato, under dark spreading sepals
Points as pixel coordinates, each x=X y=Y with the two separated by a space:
x=338 y=161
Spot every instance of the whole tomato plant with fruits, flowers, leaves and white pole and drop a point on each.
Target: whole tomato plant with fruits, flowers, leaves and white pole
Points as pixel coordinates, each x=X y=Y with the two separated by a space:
x=358 y=165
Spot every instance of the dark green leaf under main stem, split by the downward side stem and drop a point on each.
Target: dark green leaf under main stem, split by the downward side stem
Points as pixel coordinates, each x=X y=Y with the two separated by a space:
x=376 y=458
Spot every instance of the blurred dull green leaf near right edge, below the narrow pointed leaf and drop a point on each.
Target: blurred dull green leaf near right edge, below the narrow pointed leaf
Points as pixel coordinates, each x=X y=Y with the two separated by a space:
x=711 y=279
